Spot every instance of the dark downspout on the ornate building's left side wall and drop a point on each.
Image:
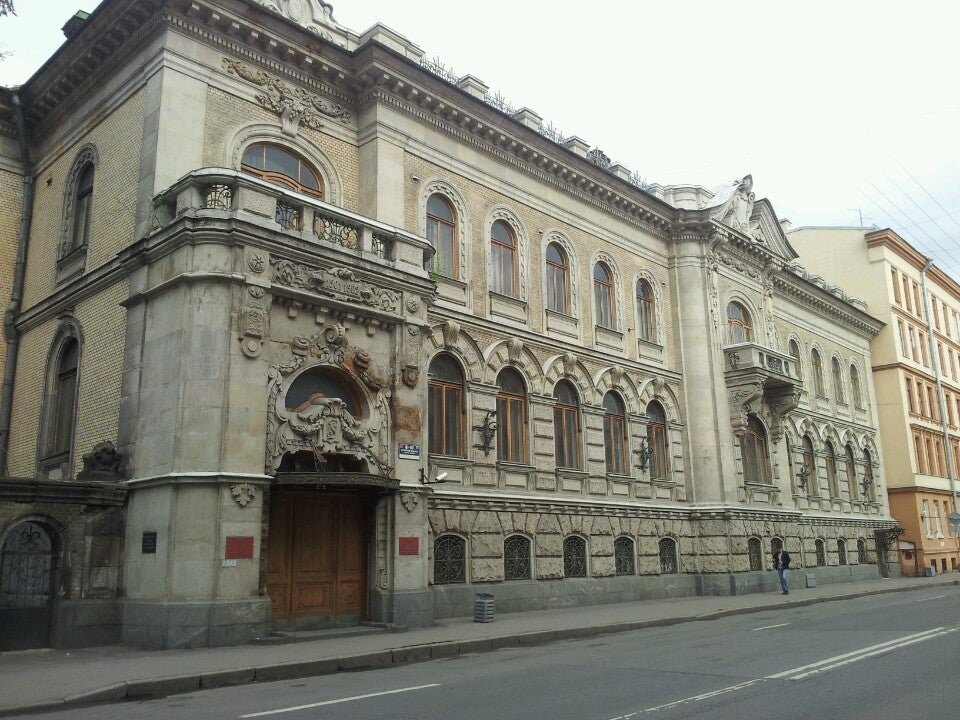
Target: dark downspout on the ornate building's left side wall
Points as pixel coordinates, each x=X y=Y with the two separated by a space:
x=16 y=293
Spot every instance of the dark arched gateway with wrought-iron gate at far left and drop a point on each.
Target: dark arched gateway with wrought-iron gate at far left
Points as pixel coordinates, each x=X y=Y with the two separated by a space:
x=26 y=587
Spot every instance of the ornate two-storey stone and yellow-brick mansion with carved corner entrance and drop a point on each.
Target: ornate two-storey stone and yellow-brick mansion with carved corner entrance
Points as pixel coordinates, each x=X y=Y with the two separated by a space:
x=298 y=276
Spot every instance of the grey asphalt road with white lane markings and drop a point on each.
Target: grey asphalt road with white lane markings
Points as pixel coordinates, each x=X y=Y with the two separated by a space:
x=890 y=656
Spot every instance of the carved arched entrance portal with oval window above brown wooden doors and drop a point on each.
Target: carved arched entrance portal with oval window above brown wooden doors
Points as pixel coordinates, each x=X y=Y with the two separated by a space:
x=329 y=476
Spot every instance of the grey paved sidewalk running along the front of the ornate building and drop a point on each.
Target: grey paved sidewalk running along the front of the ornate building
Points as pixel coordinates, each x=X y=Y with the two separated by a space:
x=57 y=679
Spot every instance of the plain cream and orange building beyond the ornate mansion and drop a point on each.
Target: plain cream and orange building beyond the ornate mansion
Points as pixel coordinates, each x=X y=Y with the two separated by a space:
x=916 y=368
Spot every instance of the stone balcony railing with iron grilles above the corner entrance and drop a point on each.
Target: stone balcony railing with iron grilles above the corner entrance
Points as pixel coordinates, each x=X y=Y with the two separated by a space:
x=224 y=193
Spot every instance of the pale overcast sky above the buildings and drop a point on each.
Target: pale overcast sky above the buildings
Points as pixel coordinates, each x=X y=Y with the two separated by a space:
x=837 y=108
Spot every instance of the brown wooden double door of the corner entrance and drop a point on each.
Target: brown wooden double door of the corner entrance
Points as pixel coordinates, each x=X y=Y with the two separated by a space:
x=316 y=560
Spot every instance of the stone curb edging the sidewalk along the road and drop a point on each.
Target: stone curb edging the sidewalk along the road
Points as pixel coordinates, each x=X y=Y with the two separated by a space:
x=179 y=684
